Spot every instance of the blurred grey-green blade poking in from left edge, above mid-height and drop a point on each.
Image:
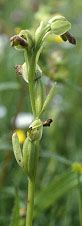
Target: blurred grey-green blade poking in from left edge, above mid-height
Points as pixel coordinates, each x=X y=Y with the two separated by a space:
x=9 y=86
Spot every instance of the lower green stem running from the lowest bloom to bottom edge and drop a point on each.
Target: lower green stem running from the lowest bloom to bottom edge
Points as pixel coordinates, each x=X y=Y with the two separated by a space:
x=31 y=188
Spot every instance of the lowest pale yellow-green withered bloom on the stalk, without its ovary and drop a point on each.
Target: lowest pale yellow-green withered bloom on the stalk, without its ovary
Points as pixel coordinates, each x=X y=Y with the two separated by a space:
x=35 y=130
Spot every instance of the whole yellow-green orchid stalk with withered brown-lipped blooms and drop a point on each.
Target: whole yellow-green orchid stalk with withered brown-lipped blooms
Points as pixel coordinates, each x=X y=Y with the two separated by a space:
x=31 y=45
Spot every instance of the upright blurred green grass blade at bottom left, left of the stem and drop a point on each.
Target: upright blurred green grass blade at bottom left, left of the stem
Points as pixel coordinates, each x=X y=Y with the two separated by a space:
x=15 y=214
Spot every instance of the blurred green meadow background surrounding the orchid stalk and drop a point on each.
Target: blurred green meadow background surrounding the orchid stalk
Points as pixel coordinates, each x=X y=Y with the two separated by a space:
x=57 y=190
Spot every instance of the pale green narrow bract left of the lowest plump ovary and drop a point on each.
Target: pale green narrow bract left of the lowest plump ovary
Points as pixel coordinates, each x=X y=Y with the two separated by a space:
x=17 y=149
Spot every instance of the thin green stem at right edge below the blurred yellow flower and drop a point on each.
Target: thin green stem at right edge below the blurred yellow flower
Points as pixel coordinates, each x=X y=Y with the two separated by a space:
x=80 y=200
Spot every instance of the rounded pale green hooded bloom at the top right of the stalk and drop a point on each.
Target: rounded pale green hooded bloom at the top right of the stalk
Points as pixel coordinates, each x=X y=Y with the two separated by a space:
x=60 y=25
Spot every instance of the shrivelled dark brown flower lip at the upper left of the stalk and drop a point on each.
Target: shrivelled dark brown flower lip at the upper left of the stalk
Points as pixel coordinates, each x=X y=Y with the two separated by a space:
x=21 y=41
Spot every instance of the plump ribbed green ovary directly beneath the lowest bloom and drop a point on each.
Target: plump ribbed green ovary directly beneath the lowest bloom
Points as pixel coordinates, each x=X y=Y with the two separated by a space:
x=28 y=157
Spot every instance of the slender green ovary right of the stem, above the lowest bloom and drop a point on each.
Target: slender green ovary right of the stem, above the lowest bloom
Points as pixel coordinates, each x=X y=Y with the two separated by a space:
x=39 y=95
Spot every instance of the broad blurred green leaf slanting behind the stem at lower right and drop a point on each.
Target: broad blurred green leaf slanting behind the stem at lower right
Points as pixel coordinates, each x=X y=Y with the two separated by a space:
x=54 y=191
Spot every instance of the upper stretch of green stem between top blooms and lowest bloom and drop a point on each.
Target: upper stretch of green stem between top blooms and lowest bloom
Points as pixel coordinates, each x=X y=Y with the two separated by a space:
x=31 y=64
